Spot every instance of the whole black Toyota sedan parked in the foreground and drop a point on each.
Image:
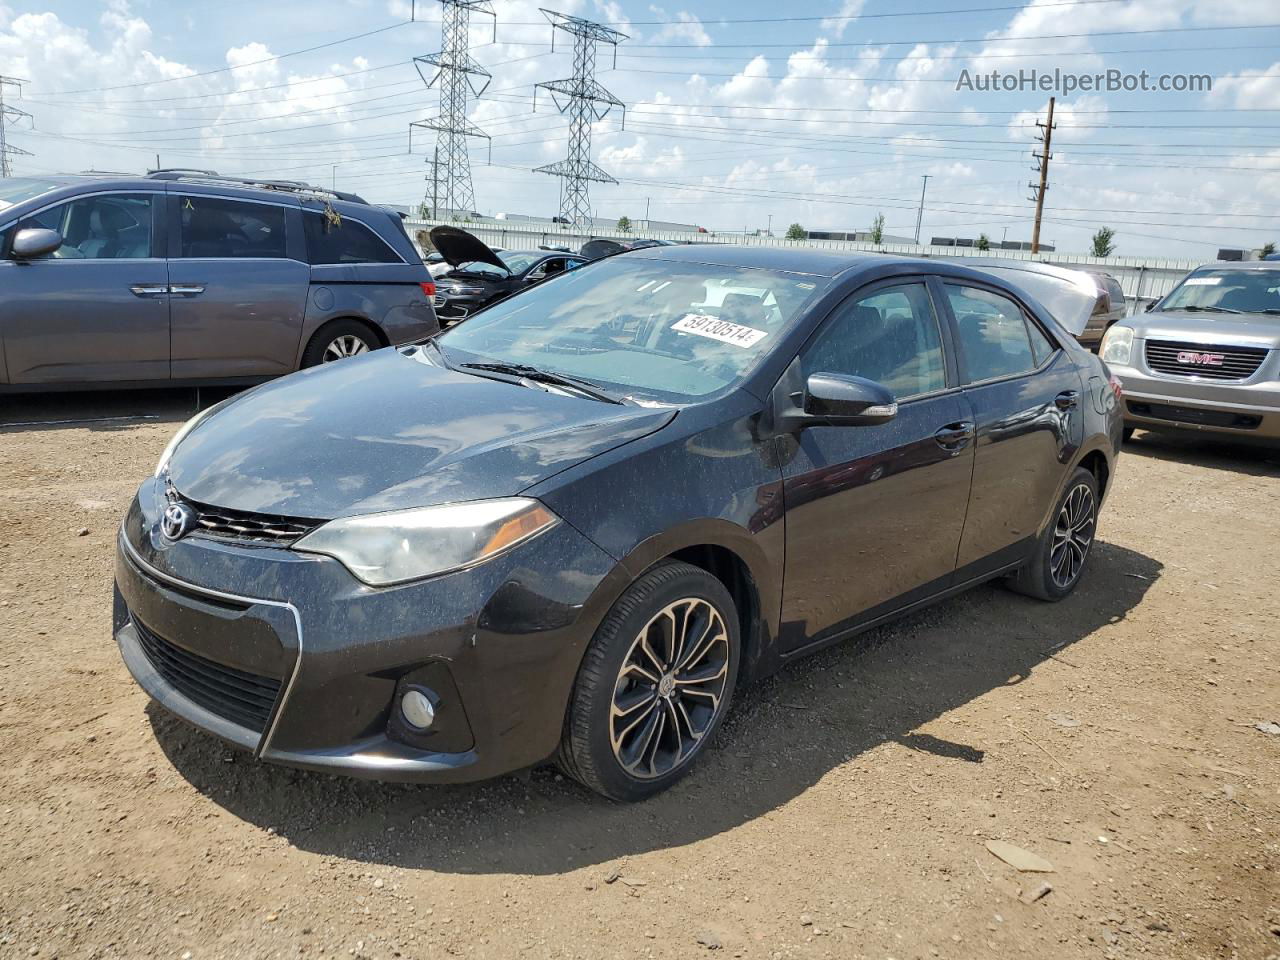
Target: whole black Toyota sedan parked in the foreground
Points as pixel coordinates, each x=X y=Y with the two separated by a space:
x=578 y=524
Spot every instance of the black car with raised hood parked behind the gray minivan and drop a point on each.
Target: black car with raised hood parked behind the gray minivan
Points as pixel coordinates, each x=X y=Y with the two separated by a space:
x=479 y=276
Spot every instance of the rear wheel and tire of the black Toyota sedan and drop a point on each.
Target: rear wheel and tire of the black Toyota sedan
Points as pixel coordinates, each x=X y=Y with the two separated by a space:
x=1063 y=552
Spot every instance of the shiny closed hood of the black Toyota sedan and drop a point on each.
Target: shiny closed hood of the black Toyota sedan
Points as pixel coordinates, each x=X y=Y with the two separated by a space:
x=391 y=431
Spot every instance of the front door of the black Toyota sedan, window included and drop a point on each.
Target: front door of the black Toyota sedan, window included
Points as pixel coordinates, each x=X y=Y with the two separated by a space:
x=875 y=514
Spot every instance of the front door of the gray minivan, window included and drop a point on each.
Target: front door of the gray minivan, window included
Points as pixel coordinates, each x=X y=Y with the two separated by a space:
x=97 y=310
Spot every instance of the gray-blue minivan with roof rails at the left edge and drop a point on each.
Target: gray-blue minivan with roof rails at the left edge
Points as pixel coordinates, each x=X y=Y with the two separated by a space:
x=189 y=277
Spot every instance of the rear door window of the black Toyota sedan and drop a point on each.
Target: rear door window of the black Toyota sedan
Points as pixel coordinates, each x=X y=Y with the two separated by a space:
x=995 y=337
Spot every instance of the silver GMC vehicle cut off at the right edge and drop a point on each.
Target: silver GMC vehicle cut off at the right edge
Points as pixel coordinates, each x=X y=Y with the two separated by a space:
x=1206 y=358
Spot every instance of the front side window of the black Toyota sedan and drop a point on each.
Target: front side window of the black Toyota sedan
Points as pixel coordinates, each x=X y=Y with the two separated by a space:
x=890 y=337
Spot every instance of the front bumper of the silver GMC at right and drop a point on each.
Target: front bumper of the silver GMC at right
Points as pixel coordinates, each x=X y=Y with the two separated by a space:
x=1247 y=412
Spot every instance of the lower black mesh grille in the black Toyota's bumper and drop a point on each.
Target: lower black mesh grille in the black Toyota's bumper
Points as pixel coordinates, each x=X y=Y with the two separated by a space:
x=245 y=700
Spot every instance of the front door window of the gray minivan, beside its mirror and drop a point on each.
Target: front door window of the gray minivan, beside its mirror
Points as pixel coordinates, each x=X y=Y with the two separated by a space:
x=106 y=227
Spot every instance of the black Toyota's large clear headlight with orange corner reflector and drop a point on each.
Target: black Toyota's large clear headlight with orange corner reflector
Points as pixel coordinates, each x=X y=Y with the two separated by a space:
x=412 y=545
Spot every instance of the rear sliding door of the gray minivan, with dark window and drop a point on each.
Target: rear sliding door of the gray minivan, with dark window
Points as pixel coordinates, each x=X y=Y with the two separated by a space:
x=239 y=286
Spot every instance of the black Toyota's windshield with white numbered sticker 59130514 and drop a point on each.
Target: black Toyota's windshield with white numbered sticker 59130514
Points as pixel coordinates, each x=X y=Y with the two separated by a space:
x=670 y=331
